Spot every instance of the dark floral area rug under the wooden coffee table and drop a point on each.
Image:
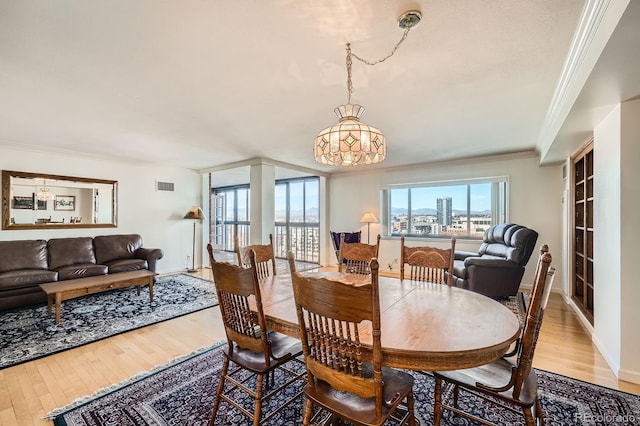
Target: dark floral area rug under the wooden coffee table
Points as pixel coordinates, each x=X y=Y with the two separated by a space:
x=30 y=333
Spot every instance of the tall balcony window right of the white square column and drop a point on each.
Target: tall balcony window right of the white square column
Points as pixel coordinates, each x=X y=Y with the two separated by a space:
x=297 y=207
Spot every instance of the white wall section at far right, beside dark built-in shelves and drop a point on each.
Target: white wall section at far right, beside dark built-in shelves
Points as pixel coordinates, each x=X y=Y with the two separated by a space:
x=616 y=290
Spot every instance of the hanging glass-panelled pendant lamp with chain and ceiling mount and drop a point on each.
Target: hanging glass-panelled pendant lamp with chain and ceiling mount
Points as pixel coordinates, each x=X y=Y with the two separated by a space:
x=351 y=142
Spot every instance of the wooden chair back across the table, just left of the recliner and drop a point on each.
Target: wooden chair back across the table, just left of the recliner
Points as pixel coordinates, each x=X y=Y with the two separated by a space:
x=428 y=263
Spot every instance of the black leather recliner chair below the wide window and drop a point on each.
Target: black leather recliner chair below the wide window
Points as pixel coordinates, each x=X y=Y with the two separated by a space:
x=497 y=269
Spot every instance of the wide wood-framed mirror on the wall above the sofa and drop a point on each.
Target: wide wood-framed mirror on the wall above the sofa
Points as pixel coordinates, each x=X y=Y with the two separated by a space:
x=41 y=201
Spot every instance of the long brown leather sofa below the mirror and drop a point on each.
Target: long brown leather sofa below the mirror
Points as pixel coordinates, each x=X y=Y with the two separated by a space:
x=26 y=263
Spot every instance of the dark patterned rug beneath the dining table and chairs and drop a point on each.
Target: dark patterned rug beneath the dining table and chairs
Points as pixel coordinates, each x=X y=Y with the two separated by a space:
x=182 y=394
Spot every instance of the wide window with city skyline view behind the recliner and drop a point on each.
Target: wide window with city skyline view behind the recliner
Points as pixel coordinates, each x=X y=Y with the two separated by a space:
x=444 y=209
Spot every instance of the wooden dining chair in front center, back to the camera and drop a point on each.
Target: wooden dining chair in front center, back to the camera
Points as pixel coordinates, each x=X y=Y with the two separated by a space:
x=341 y=379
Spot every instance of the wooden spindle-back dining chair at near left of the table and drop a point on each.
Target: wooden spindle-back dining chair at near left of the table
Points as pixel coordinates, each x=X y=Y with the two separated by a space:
x=250 y=346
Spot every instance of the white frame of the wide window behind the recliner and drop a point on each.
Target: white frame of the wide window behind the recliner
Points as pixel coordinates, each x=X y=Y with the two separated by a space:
x=499 y=205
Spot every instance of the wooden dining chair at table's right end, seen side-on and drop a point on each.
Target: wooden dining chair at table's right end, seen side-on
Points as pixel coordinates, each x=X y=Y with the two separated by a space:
x=506 y=382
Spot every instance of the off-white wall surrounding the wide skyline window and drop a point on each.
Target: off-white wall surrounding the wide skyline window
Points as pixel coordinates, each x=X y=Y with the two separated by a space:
x=535 y=200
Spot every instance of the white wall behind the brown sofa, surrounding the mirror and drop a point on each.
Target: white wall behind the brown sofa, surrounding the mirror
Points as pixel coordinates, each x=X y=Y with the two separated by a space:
x=156 y=215
